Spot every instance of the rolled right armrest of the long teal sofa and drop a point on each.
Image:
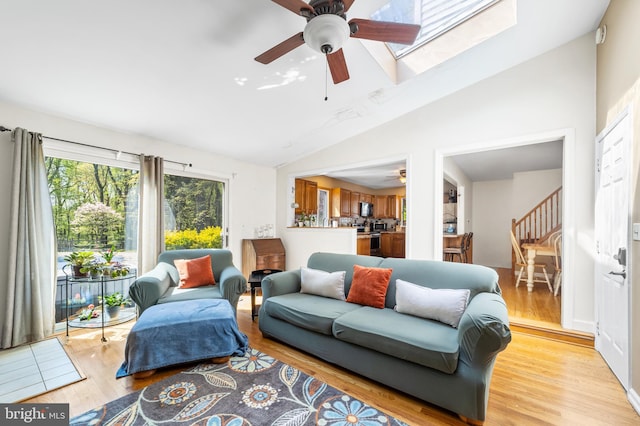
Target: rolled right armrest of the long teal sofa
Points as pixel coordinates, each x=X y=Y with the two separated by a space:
x=484 y=329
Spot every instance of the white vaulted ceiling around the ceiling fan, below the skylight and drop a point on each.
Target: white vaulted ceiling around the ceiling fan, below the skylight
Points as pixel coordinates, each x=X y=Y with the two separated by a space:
x=183 y=71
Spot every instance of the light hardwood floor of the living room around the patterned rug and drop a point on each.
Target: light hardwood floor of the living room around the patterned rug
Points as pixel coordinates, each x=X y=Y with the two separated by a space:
x=535 y=381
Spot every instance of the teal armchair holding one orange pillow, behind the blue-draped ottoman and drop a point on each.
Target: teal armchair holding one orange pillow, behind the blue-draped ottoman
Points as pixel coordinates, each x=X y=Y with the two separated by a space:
x=160 y=285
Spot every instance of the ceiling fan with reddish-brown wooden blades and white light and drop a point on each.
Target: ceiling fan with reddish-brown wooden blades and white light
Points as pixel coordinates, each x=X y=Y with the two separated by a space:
x=327 y=29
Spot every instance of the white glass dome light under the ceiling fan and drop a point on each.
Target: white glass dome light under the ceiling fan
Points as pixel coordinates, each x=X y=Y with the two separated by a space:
x=326 y=33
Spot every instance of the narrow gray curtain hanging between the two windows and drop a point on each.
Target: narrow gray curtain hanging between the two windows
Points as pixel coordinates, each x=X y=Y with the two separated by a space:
x=151 y=212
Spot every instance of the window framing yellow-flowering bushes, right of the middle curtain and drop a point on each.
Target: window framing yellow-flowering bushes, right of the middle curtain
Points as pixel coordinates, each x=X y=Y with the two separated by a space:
x=194 y=212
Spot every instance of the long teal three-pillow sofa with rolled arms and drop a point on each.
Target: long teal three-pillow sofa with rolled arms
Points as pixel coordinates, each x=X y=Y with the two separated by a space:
x=446 y=366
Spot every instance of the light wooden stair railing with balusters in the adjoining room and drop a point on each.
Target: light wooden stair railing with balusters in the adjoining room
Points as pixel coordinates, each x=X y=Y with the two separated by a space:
x=540 y=222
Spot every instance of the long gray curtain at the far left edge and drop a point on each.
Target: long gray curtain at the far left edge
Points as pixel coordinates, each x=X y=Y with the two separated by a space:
x=27 y=296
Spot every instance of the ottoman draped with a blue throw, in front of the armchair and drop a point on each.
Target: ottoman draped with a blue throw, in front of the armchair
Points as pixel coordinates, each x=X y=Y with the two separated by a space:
x=182 y=332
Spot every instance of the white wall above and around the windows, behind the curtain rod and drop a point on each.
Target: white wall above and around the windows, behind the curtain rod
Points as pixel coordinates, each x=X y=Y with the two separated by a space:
x=251 y=188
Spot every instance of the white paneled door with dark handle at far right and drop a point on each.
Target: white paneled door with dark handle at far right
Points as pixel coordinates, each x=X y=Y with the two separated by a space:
x=612 y=237
